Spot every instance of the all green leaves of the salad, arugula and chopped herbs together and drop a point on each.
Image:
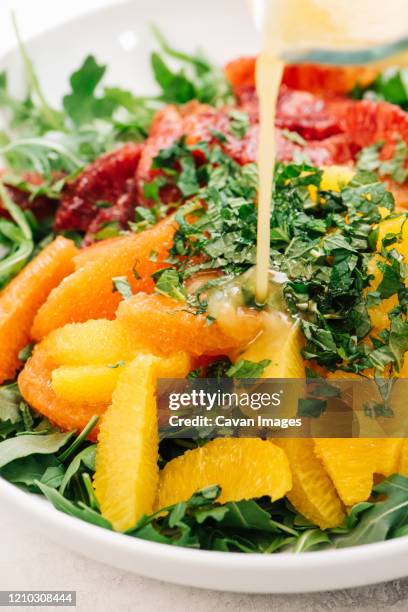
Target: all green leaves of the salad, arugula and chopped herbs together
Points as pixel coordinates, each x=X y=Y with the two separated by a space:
x=322 y=241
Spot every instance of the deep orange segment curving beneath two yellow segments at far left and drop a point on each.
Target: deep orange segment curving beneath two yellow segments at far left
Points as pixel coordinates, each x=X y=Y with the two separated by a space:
x=35 y=386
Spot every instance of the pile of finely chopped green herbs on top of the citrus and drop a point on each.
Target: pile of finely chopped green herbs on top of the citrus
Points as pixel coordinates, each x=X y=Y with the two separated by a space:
x=323 y=243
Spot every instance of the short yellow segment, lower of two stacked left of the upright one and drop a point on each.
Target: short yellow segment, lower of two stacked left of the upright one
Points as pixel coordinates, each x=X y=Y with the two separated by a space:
x=88 y=384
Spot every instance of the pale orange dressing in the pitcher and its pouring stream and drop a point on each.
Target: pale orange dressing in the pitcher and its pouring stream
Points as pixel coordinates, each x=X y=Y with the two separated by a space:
x=296 y=25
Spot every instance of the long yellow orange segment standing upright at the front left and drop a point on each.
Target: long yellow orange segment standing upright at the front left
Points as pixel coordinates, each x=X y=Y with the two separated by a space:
x=127 y=473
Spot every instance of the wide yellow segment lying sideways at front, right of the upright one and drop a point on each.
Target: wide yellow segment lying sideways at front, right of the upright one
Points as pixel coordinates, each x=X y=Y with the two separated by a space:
x=244 y=469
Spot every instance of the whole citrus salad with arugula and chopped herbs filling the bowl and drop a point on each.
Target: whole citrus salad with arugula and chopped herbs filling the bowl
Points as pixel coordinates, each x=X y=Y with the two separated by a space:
x=127 y=248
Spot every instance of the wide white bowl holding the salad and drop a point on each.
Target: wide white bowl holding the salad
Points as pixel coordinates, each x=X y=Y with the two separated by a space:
x=120 y=37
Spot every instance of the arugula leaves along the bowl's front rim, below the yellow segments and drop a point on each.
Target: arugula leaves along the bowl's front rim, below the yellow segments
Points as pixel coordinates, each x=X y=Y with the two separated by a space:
x=41 y=460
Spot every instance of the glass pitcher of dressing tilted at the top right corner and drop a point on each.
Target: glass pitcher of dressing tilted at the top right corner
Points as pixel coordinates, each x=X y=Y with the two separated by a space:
x=335 y=31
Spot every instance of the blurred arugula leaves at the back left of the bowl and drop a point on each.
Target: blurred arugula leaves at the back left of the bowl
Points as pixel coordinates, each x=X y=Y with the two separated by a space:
x=94 y=118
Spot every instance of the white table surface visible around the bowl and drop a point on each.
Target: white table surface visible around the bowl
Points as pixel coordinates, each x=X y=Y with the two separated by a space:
x=28 y=561
